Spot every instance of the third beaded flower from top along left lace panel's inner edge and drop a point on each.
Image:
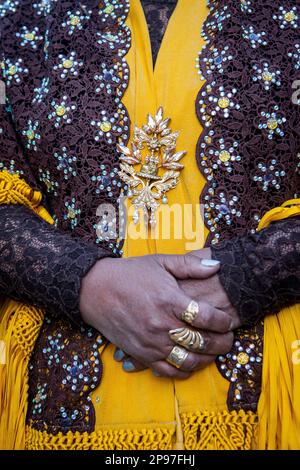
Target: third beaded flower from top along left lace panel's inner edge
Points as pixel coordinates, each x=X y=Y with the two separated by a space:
x=111 y=78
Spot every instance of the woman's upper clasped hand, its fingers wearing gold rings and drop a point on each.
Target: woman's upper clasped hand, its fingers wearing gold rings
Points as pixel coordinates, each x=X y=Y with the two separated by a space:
x=134 y=302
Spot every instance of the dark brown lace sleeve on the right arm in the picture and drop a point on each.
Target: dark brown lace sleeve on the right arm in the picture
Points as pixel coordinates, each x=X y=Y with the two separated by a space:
x=261 y=272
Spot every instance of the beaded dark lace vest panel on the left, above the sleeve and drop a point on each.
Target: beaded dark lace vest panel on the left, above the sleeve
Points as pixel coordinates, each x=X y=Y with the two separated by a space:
x=65 y=62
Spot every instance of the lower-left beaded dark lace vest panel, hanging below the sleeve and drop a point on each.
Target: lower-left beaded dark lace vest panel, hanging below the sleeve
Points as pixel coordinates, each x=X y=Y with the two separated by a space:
x=62 y=376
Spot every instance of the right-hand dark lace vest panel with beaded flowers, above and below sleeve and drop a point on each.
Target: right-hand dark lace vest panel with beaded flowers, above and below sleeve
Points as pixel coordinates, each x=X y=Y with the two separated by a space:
x=248 y=149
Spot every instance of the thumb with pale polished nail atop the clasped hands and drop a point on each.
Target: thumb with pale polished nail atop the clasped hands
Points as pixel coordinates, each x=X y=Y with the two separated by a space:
x=189 y=266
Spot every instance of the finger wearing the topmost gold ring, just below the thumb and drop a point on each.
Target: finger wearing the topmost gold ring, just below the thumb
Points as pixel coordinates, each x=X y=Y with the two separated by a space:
x=208 y=318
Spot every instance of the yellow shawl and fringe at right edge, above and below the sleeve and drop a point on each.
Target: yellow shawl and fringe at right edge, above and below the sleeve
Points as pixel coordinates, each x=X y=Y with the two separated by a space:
x=279 y=405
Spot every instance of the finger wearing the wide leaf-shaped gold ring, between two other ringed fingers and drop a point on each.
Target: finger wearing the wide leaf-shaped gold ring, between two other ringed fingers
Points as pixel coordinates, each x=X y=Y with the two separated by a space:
x=212 y=343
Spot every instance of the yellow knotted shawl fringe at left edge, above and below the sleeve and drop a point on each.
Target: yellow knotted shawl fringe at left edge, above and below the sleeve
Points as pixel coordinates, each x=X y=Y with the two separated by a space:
x=19 y=329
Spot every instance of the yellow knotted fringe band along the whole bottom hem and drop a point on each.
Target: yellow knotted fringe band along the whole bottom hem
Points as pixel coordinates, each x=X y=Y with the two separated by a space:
x=202 y=431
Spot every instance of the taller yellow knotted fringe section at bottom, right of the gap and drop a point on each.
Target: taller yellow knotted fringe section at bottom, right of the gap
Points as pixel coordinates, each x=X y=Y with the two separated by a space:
x=220 y=431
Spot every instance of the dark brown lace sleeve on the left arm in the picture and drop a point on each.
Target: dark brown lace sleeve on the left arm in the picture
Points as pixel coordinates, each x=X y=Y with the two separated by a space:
x=41 y=266
